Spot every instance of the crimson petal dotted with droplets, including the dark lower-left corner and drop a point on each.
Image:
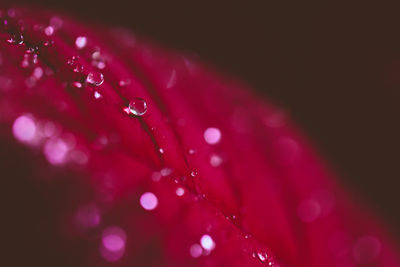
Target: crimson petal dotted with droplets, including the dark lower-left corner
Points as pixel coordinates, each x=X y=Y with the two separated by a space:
x=118 y=151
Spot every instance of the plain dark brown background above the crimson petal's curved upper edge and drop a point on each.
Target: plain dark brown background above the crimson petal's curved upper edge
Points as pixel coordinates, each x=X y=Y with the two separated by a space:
x=335 y=67
